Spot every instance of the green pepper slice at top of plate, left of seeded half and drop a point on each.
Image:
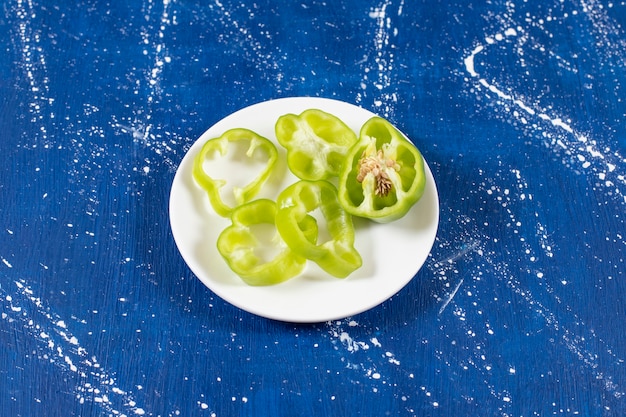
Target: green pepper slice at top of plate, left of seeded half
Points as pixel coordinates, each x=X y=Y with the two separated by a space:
x=316 y=142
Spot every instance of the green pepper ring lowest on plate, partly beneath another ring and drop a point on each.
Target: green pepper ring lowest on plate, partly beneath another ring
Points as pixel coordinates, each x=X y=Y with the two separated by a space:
x=243 y=247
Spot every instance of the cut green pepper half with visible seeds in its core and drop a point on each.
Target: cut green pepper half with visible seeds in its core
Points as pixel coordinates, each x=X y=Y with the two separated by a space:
x=384 y=174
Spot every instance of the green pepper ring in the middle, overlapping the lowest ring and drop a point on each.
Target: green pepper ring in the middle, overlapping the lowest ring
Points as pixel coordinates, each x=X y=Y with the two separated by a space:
x=337 y=255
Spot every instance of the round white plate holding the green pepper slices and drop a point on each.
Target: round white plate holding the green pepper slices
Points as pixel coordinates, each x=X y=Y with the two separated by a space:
x=392 y=253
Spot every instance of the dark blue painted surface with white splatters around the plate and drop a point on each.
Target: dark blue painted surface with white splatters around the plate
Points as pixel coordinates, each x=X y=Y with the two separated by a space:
x=518 y=106
